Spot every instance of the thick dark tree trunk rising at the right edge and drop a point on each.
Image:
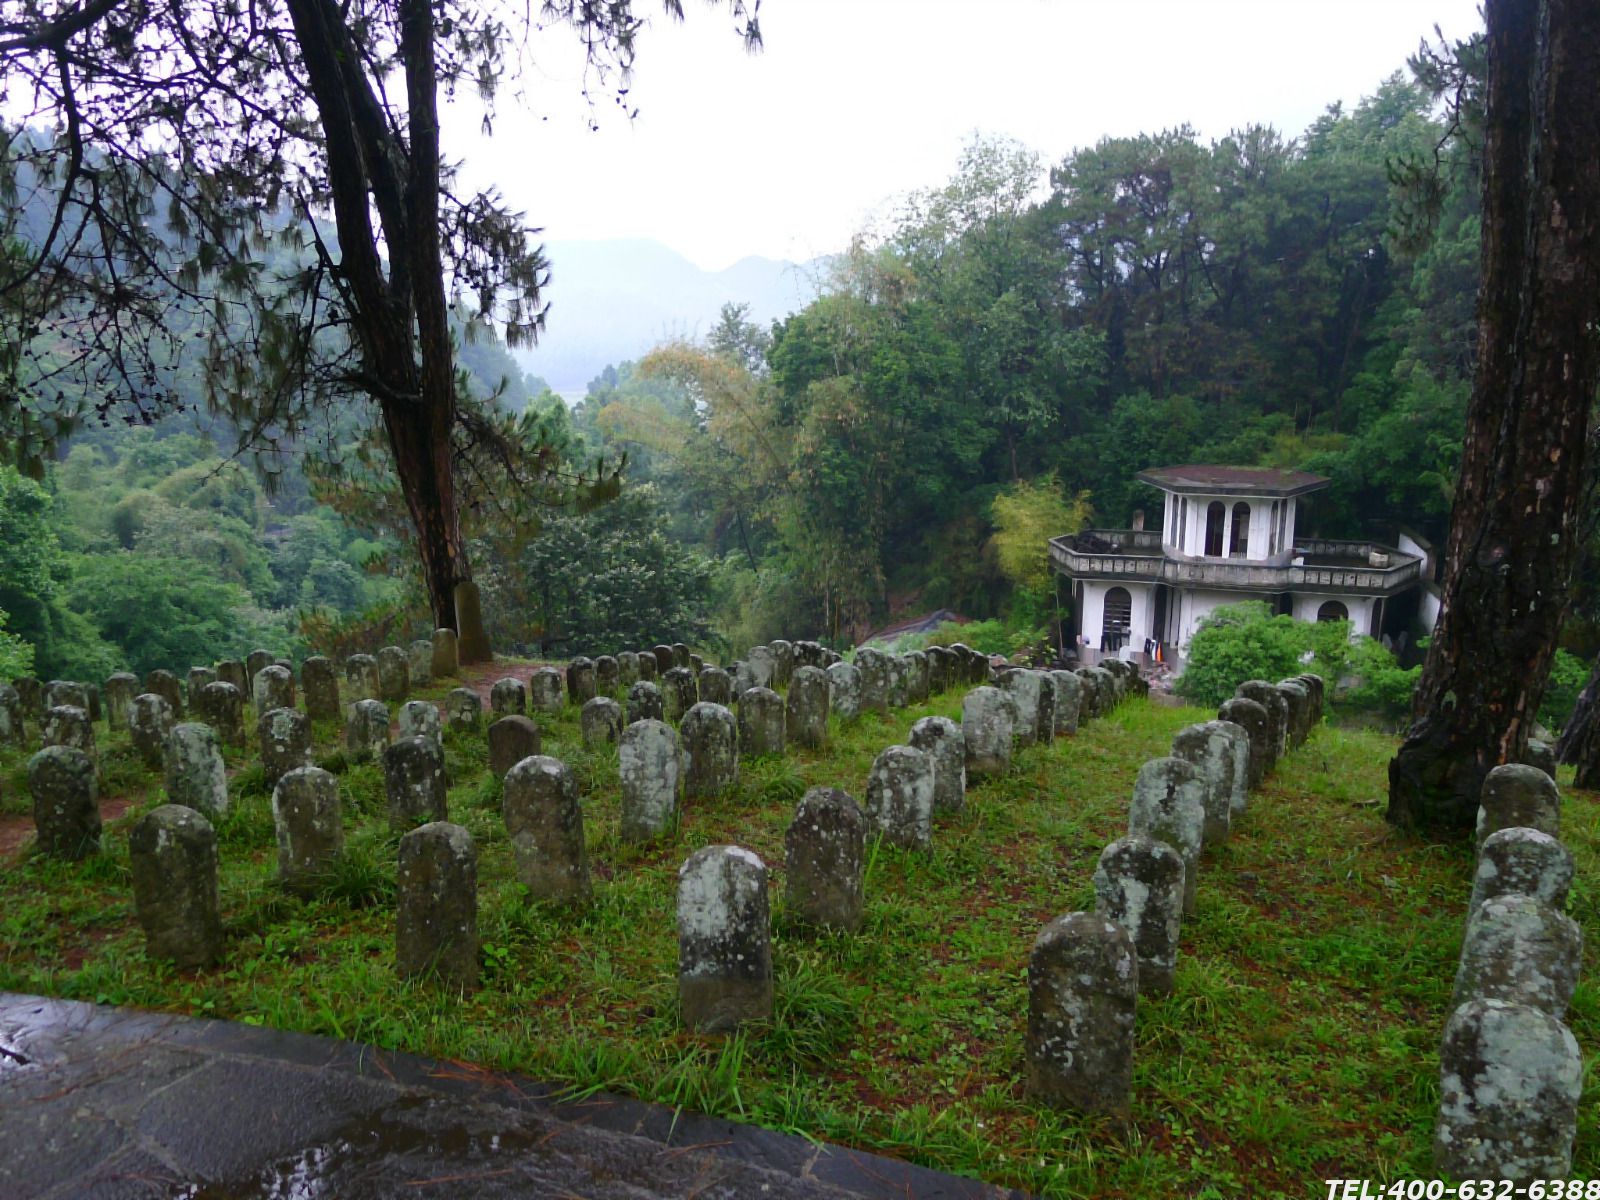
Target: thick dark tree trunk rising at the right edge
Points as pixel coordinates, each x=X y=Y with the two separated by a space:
x=1513 y=535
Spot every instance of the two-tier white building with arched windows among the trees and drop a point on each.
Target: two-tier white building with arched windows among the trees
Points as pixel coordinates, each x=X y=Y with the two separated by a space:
x=1228 y=535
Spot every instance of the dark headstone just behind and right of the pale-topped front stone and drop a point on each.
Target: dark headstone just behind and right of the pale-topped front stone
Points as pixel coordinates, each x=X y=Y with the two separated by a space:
x=825 y=855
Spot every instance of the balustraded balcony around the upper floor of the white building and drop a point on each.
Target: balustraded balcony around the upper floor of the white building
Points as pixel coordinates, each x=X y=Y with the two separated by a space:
x=1316 y=566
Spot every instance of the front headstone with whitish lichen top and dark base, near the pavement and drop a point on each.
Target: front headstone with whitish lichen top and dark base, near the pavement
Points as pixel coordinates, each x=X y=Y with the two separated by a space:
x=726 y=959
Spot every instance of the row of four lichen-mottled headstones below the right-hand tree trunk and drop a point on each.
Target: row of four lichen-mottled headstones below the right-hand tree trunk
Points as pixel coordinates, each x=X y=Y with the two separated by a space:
x=1510 y=1070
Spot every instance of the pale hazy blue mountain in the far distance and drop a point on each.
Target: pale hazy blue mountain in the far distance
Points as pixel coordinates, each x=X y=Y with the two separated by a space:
x=612 y=302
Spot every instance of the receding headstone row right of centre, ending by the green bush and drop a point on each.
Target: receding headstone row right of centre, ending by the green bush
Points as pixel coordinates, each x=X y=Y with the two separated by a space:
x=1089 y=969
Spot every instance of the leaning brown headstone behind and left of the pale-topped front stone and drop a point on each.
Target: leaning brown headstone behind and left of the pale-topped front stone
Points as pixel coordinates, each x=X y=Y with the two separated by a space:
x=546 y=826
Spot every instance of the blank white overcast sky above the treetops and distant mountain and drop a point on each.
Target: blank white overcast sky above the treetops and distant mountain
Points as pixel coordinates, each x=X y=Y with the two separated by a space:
x=854 y=103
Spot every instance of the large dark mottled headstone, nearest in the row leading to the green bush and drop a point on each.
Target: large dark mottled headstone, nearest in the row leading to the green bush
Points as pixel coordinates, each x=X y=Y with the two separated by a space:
x=1082 y=990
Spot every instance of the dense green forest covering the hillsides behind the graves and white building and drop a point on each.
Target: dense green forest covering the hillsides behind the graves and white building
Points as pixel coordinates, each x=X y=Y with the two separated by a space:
x=985 y=372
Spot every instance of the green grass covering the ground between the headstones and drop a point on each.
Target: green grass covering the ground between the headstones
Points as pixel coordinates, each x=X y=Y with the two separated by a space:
x=1300 y=1042
